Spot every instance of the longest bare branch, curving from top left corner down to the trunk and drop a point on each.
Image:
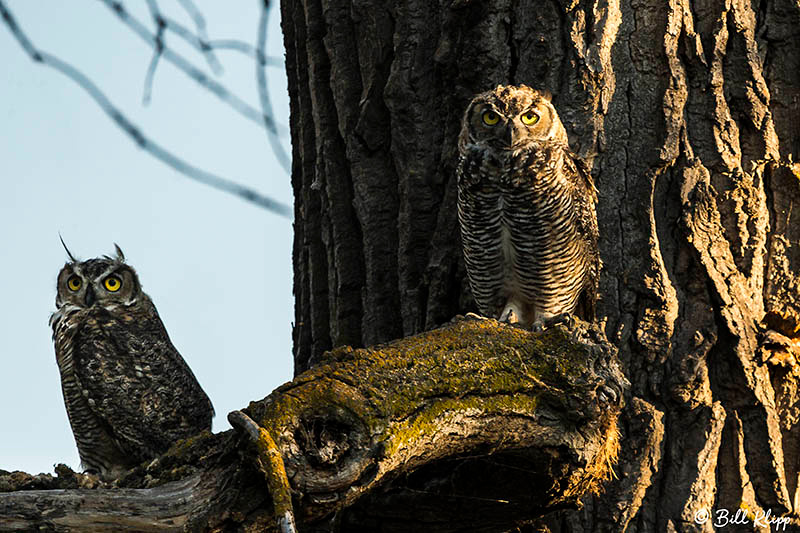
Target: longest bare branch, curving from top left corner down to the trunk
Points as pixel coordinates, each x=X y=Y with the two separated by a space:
x=134 y=132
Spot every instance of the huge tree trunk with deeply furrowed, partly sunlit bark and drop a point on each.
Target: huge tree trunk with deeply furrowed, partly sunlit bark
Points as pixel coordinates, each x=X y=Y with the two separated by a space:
x=688 y=112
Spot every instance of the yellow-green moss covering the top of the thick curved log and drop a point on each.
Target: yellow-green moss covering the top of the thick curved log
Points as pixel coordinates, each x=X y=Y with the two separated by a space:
x=466 y=363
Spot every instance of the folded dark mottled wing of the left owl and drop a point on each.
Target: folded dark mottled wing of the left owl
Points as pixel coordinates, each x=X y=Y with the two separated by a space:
x=137 y=383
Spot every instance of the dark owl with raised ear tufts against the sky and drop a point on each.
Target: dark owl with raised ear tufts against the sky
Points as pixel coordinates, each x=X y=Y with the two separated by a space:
x=129 y=394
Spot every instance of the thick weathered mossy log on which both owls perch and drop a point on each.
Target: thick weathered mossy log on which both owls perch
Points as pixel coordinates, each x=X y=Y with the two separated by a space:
x=409 y=425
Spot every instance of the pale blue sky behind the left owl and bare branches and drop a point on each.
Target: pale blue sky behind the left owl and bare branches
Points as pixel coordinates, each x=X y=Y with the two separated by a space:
x=217 y=268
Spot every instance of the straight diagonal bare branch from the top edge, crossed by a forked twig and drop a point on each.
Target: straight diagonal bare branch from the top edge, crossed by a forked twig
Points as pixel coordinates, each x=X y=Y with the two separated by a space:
x=184 y=65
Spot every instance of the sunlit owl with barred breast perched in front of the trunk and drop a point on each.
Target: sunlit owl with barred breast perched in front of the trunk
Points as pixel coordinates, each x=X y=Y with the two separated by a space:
x=526 y=206
